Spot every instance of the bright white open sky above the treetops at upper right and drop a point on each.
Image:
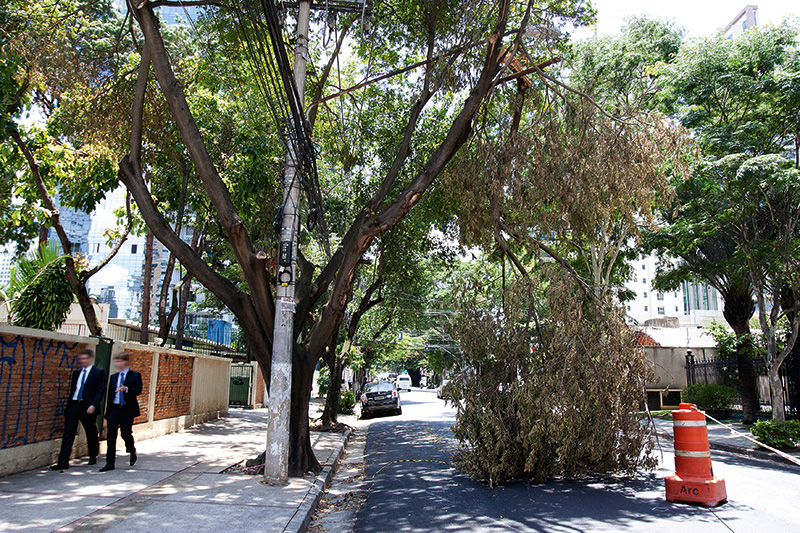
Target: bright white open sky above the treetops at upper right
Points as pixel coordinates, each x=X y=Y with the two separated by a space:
x=698 y=17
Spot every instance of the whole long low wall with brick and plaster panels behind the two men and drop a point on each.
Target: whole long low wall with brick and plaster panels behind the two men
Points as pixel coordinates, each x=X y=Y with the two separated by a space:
x=35 y=369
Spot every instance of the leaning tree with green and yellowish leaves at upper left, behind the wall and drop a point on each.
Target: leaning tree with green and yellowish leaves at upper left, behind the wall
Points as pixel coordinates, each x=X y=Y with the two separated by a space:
x=38 y=57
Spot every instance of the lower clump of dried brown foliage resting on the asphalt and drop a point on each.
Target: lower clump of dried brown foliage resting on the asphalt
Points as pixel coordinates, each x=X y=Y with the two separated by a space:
x=565 y=409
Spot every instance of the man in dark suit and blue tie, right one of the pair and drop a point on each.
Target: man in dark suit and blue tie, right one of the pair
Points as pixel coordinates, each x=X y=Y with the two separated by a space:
x=122 y=408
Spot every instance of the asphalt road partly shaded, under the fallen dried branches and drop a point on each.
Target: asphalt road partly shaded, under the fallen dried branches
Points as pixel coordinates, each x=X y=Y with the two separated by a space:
x=410 y=486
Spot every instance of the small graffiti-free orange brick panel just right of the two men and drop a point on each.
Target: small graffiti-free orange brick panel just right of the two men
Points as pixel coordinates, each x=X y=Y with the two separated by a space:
x=173 y=386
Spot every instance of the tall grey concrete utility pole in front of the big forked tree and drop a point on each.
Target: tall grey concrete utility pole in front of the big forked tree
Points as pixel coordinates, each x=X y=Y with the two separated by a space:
x=276 y=467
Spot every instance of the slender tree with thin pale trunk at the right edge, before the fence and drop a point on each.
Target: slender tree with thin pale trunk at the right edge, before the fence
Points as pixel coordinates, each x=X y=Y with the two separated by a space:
x=762 y=213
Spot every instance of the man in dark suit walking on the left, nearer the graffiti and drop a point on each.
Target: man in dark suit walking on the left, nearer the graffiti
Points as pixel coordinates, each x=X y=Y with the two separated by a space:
x=85 y=395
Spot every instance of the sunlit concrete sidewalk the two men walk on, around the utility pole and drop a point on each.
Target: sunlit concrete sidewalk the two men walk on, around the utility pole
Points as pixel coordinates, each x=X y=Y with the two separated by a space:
x=176 y=485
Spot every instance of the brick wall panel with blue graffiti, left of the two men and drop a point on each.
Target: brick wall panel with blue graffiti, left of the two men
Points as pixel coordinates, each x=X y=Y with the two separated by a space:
x=35 y=376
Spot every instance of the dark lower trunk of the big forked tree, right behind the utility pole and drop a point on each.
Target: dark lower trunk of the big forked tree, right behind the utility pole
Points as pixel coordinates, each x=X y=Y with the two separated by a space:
x=301 y=455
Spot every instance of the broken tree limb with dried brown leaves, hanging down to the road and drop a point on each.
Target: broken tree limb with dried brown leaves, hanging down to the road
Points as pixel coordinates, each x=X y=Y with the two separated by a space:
x=546 y=355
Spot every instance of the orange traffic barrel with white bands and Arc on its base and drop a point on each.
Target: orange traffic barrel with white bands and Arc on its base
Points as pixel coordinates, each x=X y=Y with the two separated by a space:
x=694 y=479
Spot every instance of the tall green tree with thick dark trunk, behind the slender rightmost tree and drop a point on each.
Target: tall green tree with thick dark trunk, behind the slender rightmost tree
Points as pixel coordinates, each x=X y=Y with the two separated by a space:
x=739 y=96
